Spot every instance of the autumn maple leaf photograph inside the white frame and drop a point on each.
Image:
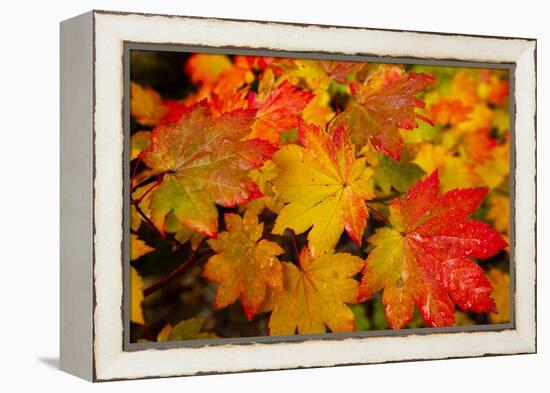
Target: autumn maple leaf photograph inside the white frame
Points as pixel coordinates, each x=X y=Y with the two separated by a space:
x=275 y=196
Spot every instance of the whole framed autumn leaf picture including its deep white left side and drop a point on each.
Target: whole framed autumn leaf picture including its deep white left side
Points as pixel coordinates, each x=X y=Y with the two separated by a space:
x=243 y=195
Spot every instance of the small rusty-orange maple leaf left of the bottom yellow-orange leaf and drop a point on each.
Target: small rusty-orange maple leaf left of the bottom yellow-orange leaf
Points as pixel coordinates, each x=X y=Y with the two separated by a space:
x=244 y=265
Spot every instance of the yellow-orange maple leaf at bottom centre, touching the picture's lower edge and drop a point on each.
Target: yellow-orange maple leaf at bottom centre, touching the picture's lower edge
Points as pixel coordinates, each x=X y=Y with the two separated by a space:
x=315 y=295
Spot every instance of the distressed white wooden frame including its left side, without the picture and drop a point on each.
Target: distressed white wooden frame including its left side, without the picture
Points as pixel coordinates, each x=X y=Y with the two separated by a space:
x=92 y=146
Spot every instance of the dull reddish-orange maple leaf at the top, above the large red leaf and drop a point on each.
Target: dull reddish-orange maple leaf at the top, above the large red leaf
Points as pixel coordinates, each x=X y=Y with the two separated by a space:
x=386 y=104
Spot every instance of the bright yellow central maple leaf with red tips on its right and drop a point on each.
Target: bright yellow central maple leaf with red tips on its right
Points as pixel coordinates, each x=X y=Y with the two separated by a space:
x=324 y=186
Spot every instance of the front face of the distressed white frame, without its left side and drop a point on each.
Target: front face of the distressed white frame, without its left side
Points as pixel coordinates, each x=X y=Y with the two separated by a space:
x=112 y=30
